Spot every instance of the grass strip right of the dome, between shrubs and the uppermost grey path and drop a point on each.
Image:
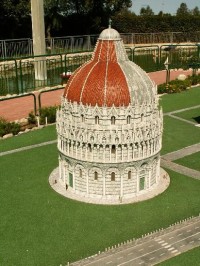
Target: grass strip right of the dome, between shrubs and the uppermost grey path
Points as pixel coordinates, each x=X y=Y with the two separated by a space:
x=177 y=101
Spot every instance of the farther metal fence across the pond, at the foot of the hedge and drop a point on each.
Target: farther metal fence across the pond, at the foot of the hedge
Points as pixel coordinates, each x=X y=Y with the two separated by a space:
x=73 y=44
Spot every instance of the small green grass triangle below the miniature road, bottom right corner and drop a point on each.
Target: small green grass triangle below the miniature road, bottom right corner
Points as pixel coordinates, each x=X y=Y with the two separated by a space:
x=190 y=257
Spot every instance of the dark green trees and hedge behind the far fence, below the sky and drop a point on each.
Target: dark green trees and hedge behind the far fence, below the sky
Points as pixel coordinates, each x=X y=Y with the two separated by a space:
x=81 y=17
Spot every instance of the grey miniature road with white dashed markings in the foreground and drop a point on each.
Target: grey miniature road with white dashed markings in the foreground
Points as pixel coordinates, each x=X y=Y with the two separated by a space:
x=169 y=243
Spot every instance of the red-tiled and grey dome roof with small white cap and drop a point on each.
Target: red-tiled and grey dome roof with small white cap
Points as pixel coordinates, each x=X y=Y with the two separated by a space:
x=110 y=78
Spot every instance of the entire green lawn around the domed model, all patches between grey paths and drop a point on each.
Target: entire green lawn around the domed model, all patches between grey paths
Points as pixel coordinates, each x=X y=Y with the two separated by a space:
x=40 y=227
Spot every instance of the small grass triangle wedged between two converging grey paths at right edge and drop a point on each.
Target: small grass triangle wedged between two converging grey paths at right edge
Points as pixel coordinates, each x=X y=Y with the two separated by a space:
x=191 y=161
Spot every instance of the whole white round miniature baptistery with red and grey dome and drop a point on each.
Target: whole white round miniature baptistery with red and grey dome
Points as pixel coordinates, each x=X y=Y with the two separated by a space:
x=109 y=126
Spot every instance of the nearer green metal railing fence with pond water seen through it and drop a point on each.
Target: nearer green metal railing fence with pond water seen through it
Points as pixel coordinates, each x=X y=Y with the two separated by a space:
x=18 y=75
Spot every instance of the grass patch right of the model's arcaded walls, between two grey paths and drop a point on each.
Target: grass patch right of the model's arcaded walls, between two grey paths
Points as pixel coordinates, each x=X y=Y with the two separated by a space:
x=178 y=134
